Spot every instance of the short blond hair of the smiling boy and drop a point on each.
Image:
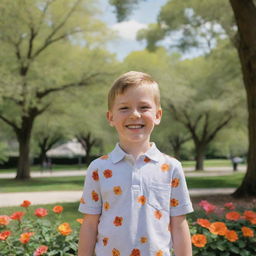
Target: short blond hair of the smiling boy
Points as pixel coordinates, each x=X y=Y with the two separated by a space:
x=132 y=79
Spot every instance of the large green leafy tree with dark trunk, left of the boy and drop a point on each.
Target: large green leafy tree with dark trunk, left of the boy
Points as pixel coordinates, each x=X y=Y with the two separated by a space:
x=40 y=46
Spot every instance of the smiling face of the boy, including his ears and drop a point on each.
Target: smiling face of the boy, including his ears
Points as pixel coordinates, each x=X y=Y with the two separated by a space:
x=134 y=115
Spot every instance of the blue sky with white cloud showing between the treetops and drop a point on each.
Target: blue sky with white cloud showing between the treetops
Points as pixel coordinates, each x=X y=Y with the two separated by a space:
x=144 y=13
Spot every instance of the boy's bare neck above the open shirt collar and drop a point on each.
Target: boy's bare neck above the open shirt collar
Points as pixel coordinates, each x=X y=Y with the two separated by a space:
x=135 y=149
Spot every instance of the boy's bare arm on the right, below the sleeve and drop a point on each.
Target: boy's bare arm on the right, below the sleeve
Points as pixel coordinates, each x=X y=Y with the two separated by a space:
x=180 y=236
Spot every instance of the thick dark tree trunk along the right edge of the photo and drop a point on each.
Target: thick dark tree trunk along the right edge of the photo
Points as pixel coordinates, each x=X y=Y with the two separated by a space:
x=245 y=16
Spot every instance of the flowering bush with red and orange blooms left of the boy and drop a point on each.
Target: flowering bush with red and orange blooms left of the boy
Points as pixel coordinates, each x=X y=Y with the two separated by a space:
x=34 y=233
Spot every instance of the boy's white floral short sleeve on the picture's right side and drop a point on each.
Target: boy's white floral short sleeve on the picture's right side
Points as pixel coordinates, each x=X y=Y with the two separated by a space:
x=180 y=200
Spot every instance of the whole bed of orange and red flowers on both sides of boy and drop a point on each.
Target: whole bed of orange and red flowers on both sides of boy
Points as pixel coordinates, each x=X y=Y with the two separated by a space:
x=224 y=231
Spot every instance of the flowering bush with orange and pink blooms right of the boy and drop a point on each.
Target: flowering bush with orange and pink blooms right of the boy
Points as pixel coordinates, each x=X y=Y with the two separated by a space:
x=223 y=231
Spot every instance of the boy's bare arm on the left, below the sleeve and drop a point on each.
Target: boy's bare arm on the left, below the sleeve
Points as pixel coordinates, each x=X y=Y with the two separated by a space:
x=88 y=235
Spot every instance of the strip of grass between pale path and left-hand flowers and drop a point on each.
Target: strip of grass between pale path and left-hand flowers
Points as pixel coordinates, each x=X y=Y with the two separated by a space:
x=70 y=212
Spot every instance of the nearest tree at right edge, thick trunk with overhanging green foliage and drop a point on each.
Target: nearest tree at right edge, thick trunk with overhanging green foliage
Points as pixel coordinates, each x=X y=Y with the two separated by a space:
x=216 y=15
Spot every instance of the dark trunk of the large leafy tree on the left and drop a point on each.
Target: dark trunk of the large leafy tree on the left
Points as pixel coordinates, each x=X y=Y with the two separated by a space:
x=23 y=136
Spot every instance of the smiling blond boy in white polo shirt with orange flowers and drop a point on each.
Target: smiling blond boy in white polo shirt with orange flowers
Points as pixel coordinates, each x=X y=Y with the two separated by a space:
x=135 y=198
